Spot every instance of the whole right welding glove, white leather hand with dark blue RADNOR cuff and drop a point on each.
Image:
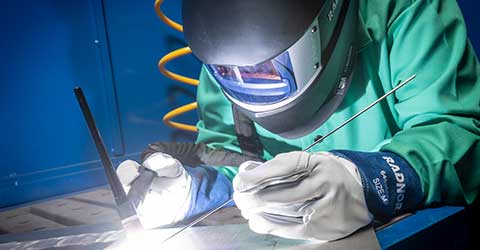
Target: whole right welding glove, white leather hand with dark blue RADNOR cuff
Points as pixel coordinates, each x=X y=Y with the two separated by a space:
x=324 y=196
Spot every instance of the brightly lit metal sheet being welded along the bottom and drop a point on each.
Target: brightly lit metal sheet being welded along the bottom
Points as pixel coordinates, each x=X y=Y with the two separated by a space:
x=209 y=237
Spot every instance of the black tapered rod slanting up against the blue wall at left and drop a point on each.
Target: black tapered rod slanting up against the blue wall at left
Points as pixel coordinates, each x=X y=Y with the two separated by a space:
x=115 y=184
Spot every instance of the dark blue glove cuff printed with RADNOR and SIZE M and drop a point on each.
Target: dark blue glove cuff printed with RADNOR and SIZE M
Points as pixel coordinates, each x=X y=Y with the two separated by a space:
x=390 y=184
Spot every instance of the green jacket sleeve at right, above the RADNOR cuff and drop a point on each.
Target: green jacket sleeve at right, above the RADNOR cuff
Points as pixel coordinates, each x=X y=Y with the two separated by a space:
x=439 y=111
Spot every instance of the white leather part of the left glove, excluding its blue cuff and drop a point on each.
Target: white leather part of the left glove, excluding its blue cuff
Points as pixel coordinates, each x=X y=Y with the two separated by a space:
x=168 y=198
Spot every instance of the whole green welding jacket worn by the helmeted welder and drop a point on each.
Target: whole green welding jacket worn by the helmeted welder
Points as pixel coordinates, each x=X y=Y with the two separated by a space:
x=433 y=122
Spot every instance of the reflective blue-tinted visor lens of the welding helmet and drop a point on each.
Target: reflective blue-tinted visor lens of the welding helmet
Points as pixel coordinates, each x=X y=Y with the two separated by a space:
x=262 y=84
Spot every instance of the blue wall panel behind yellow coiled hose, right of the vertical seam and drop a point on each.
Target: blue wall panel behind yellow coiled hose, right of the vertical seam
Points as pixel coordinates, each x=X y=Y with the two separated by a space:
x=138 y=39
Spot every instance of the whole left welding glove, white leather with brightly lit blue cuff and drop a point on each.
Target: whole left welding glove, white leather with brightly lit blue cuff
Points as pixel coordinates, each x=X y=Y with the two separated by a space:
x=177 y=192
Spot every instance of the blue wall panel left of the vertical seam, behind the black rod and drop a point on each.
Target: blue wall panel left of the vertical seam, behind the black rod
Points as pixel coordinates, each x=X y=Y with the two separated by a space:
x=47 y=48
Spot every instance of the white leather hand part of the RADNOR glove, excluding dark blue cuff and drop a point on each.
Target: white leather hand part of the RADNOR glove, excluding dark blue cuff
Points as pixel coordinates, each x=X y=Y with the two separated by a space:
x=300 y=195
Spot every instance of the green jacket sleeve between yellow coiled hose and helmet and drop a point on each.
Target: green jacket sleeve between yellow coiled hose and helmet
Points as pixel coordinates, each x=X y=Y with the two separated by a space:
x=215 y=127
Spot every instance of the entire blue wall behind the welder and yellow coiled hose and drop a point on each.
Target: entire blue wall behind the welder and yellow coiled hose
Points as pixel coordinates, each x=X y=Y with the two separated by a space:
x=110 y=48
